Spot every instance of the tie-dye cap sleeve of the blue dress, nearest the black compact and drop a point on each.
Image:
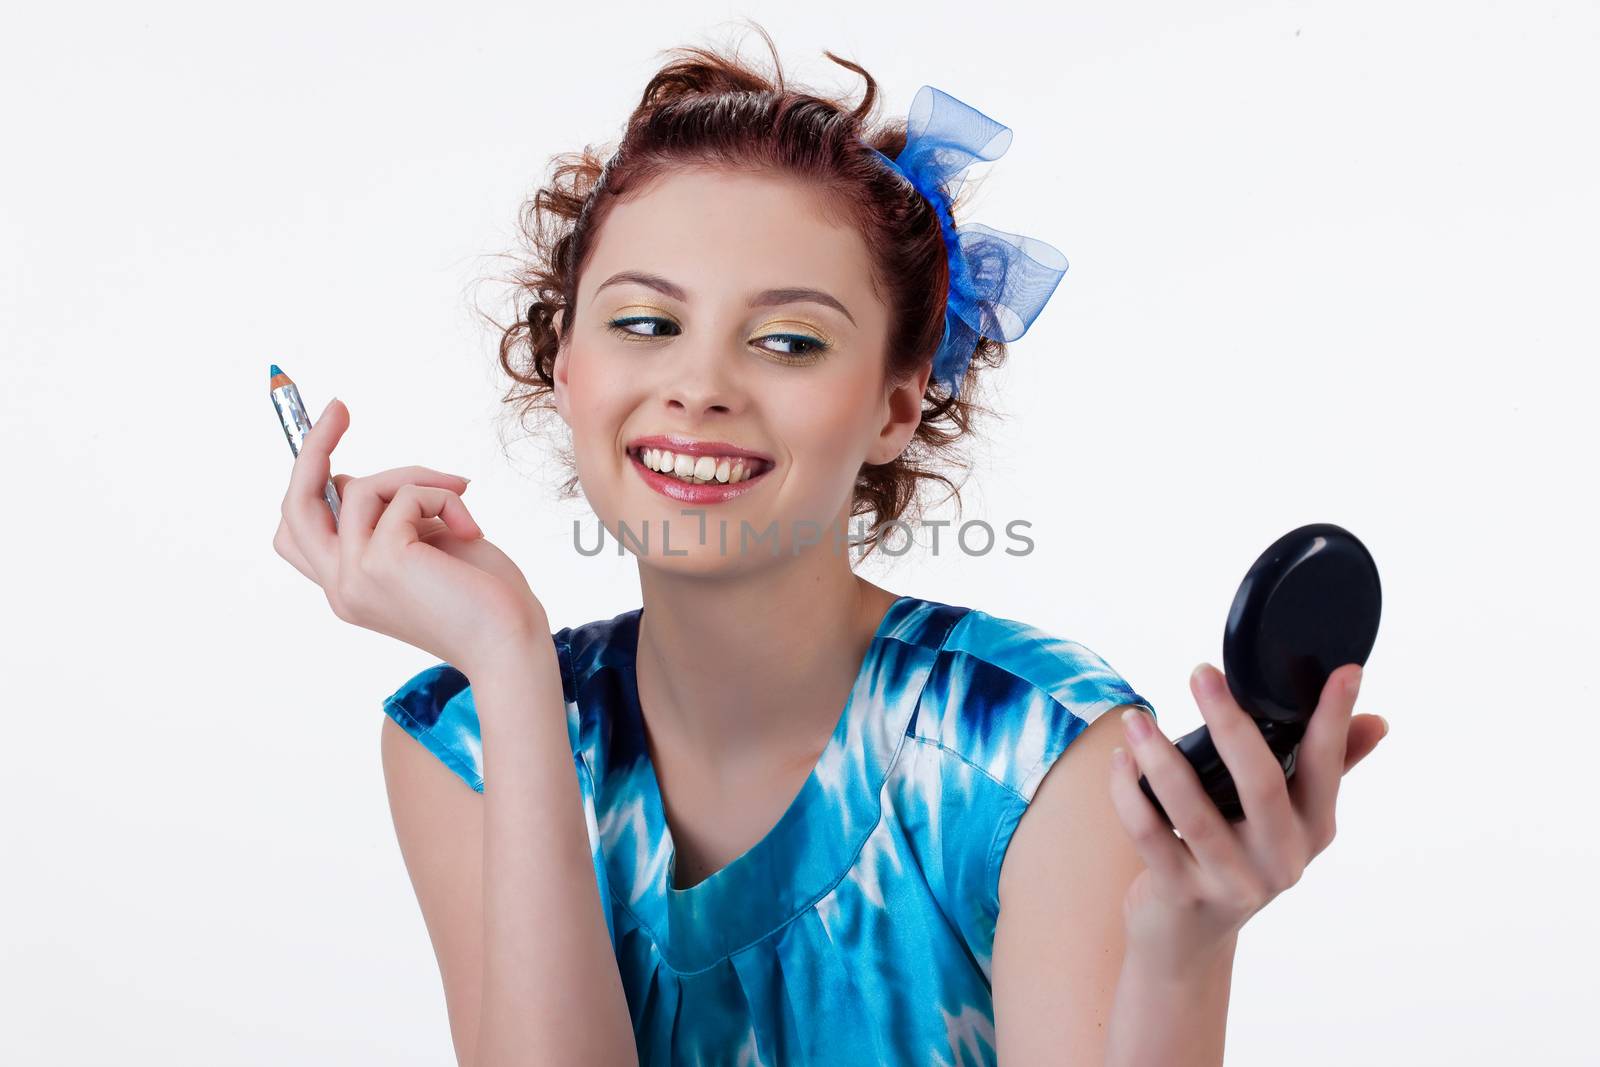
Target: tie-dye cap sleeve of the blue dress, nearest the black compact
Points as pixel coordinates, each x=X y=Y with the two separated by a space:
x=1009 y=697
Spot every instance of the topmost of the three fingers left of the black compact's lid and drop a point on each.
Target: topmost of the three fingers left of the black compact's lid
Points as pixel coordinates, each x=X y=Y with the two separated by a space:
x=1263 y=791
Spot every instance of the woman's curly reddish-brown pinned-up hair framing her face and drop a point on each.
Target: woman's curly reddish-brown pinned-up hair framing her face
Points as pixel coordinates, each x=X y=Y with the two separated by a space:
x=708 y=108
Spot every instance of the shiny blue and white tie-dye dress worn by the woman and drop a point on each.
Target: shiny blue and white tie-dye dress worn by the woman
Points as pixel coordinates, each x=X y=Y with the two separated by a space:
x=860 y=929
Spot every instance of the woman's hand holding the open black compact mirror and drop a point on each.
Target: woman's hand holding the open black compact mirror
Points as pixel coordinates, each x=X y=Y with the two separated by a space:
x=1199 y=890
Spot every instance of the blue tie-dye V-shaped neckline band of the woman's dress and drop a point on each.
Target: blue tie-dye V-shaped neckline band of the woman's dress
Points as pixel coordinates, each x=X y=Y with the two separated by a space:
x=817 y=839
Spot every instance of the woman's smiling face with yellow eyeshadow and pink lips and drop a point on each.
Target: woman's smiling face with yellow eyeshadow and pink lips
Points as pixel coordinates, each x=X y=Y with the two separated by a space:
x=718 y=353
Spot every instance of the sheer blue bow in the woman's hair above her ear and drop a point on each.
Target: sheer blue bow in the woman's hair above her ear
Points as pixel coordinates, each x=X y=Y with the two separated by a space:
x=999 y=282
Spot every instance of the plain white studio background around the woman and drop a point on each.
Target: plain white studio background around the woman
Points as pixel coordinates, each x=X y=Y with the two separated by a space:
x=1330 y=263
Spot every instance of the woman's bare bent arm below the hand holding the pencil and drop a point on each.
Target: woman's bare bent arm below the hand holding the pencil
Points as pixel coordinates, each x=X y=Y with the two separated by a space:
x=506 y=879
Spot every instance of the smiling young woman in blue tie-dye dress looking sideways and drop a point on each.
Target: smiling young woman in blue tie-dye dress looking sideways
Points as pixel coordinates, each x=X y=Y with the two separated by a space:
x=780 y=815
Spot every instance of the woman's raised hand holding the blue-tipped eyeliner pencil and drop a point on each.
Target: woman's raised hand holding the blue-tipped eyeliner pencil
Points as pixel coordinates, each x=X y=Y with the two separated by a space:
x=406 y=559
